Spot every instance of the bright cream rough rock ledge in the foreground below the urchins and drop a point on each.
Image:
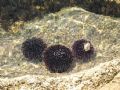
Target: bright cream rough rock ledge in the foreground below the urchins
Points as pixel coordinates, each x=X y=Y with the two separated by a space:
x=84 y=80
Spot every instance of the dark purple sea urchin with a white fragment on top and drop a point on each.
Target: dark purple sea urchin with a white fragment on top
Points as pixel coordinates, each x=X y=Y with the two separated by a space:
x=83 y=49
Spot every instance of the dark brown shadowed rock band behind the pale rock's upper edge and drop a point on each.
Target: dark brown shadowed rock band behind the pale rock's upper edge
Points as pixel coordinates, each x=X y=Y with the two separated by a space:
x=25 y=10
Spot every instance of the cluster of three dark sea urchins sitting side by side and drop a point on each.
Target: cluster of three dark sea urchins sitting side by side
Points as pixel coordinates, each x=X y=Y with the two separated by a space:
x=57 y=58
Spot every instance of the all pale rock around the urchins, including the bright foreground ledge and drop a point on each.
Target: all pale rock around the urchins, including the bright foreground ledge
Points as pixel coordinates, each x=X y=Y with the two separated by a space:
x=63 y=27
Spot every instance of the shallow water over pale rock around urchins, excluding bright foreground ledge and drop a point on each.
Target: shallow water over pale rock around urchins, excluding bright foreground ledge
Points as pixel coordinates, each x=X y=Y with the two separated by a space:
x=64 y=28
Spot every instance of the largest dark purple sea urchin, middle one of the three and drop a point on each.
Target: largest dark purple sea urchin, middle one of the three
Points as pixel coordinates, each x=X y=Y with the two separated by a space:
x=58 y=58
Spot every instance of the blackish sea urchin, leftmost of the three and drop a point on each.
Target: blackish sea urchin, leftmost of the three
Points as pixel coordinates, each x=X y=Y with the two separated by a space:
x=33 y=48
